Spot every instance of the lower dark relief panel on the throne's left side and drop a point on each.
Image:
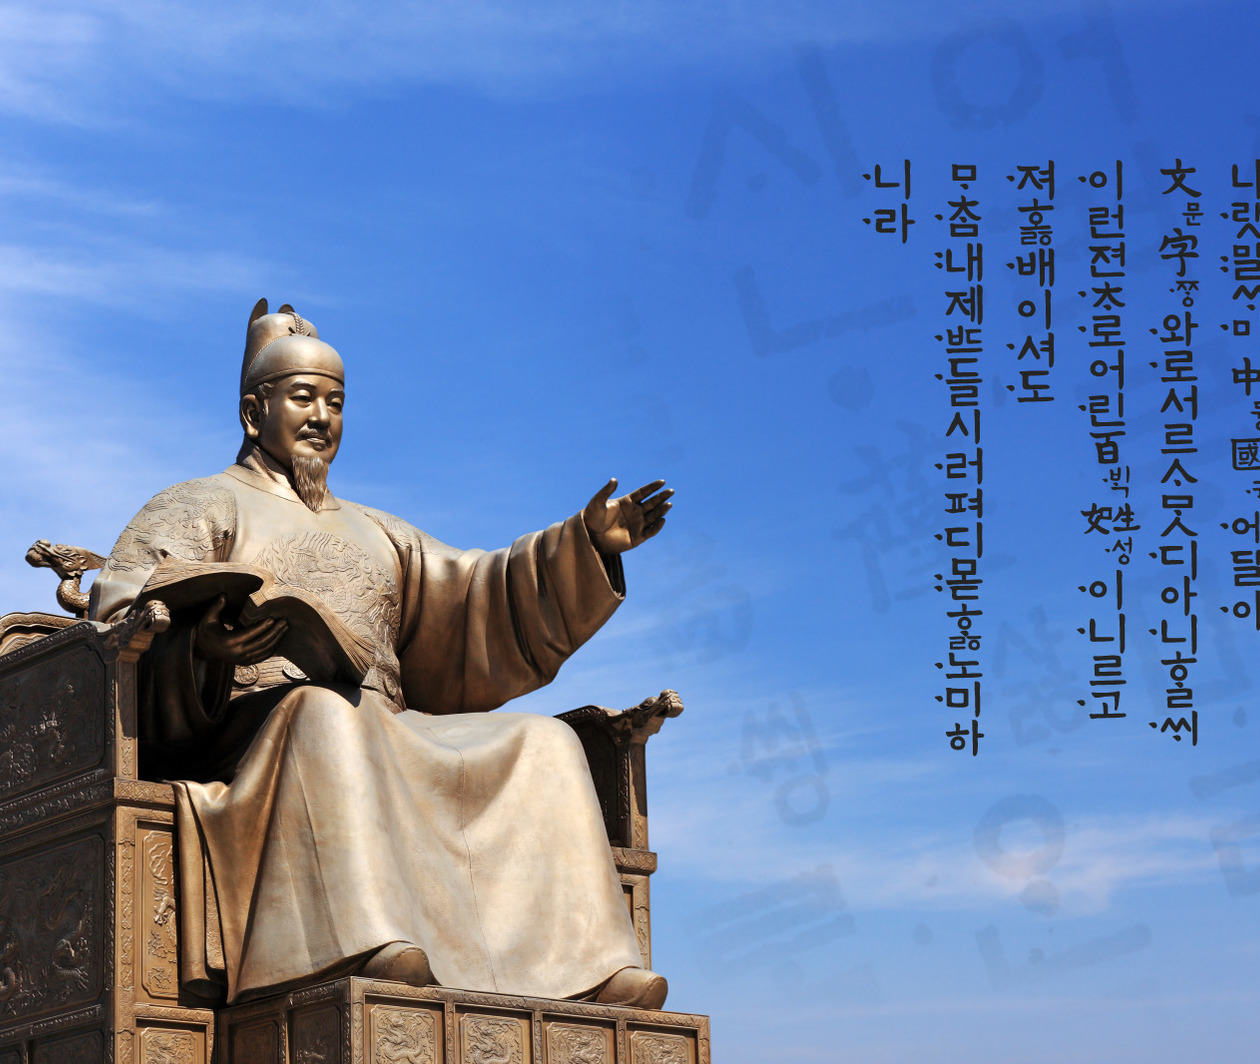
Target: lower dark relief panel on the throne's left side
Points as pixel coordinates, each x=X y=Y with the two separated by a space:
x=51 y=930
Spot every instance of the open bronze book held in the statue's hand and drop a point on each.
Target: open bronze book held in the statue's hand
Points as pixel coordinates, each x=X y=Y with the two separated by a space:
x=317 y=641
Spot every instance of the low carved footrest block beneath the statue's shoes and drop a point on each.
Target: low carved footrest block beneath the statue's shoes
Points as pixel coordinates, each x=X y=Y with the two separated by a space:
x=365 y=1022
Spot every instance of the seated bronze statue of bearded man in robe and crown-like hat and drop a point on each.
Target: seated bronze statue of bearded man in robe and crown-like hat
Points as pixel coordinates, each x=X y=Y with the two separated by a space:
x=390 y=828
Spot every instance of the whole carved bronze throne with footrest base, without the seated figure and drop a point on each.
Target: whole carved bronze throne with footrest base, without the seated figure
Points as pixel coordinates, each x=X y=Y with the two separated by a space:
x=89 y=928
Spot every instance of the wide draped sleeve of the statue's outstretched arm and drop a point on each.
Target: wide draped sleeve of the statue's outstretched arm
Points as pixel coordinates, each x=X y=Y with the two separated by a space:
x=483 y=627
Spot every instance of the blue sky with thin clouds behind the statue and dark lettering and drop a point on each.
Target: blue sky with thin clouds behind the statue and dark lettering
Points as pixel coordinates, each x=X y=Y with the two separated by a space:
x=556 y=243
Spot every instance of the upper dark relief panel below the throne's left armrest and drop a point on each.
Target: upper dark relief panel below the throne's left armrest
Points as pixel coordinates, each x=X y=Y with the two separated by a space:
x=52 y=720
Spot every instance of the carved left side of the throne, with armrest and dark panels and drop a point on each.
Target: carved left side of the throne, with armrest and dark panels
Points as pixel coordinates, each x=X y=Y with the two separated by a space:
x=89 y=952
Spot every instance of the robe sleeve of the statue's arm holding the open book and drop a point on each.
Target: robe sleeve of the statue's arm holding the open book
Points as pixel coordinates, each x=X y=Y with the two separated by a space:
x=182 y=699
